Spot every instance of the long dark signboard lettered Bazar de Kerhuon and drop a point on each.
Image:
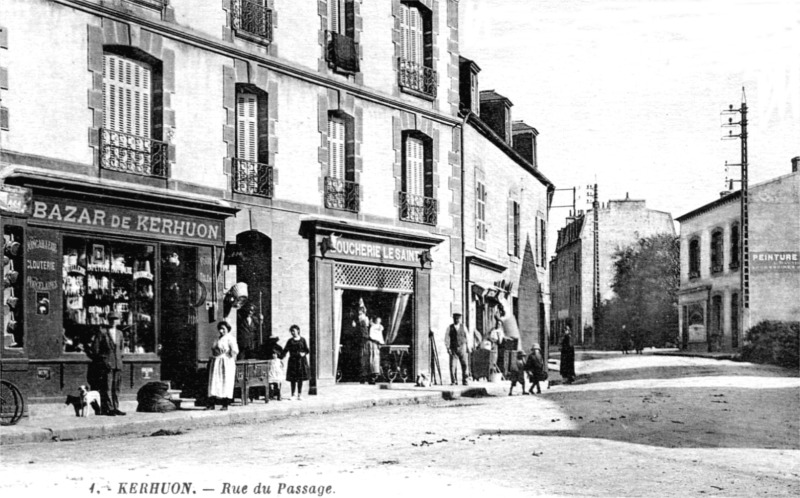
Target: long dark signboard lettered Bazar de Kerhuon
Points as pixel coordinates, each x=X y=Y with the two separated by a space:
x=76 y=214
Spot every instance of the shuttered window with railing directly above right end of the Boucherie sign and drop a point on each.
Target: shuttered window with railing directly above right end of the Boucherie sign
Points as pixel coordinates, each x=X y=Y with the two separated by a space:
x=417 y=203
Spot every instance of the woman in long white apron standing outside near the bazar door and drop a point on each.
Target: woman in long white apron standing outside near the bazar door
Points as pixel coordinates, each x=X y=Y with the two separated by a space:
x=222 y=368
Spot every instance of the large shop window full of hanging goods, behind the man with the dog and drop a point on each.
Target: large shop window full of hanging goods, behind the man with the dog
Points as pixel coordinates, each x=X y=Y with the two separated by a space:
x=101 y=277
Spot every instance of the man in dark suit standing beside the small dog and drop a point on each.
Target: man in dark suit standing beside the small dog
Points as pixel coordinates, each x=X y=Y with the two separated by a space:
x=105 y=371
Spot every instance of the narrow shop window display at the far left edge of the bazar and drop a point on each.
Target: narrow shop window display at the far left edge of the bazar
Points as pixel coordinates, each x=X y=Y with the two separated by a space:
x=12 y=287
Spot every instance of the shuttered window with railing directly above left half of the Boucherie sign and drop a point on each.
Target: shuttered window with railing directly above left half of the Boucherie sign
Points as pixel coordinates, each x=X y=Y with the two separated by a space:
x=341 y=191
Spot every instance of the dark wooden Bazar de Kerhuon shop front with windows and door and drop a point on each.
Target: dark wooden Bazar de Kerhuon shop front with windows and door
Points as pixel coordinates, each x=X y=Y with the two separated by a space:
x=74 y=257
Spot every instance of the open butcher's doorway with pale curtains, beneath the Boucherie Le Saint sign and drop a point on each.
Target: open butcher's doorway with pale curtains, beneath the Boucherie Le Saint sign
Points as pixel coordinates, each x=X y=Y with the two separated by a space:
x=395 y=311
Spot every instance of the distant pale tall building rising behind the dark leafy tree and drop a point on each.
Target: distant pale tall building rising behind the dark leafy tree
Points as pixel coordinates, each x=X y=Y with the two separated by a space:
x=572 y=276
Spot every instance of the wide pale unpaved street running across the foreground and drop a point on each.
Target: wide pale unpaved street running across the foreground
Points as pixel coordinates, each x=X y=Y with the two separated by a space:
x=732 y=430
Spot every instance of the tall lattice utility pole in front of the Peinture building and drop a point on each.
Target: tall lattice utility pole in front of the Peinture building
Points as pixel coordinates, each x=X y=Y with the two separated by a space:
x=744 y=247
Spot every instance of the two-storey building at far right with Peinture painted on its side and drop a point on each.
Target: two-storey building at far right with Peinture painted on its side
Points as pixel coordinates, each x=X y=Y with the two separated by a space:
x=713 y=313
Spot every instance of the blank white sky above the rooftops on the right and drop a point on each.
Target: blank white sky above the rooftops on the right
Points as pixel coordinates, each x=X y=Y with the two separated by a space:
x=628 y=93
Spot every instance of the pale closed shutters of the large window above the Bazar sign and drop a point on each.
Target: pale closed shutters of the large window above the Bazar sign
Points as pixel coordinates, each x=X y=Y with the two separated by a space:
x=126 y=95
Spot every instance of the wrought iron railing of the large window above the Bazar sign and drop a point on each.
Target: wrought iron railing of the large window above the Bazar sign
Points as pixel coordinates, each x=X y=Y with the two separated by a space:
x=132 y=154
